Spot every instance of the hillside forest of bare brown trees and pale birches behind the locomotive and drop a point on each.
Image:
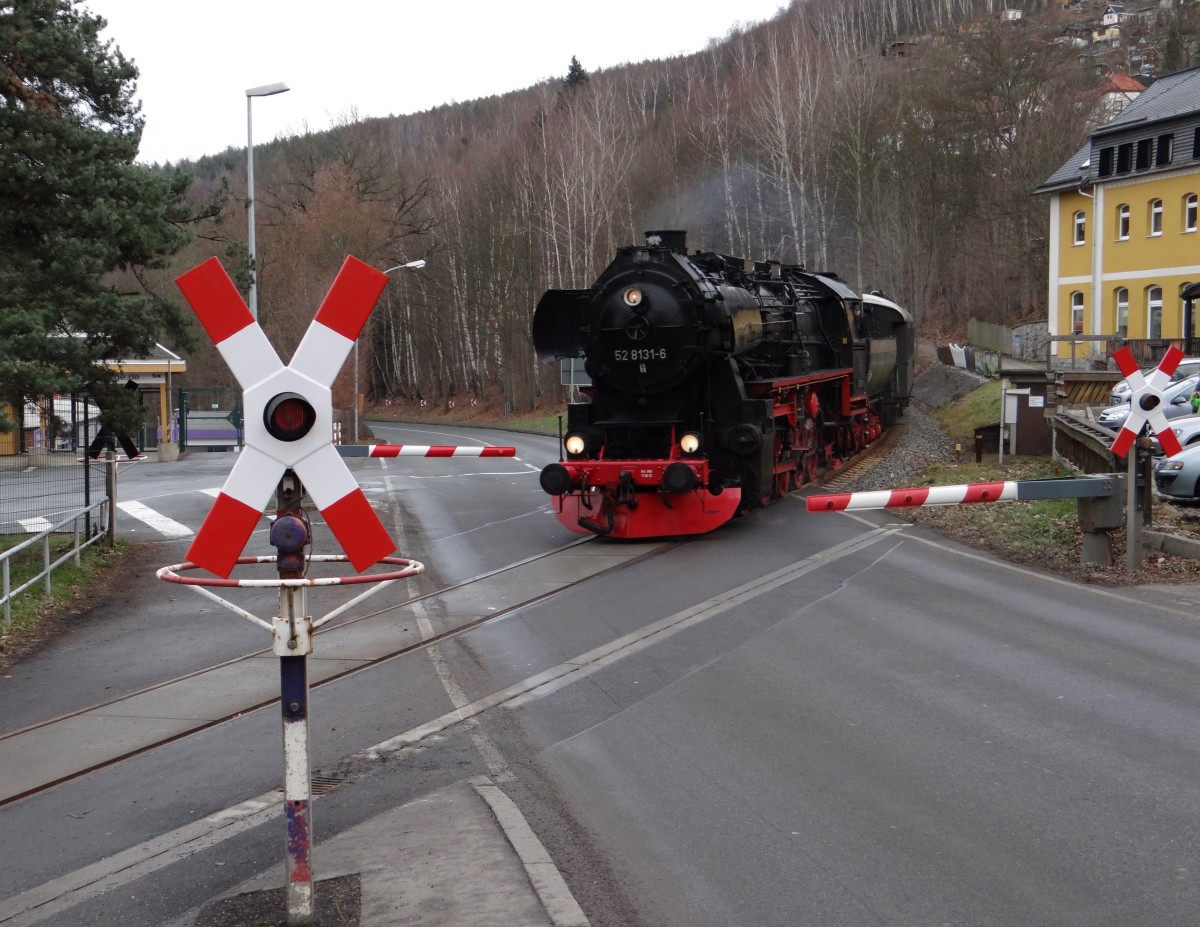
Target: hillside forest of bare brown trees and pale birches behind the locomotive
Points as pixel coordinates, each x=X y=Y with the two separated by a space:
x=896 y=142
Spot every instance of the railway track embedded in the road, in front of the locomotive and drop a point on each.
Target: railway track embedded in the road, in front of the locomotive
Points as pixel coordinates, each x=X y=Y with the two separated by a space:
x=56 y=737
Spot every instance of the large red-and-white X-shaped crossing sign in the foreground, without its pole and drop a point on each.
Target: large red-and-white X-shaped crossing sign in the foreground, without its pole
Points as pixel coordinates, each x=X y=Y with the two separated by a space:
x=265 y=380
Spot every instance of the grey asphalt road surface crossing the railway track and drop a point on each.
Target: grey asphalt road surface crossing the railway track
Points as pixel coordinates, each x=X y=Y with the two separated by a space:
x=799 y=720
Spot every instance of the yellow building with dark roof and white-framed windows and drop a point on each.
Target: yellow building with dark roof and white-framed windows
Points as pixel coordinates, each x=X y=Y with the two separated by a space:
x=1125 y=240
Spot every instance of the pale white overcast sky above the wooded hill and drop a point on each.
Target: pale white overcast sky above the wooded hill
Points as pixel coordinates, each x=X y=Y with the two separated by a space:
x=376 y=58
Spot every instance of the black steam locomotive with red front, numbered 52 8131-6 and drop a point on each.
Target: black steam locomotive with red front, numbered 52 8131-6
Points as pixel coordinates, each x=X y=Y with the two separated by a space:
x=717 y=386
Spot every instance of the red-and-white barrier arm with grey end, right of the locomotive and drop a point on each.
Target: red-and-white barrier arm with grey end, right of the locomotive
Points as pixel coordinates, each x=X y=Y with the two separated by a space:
x=968 y=493
